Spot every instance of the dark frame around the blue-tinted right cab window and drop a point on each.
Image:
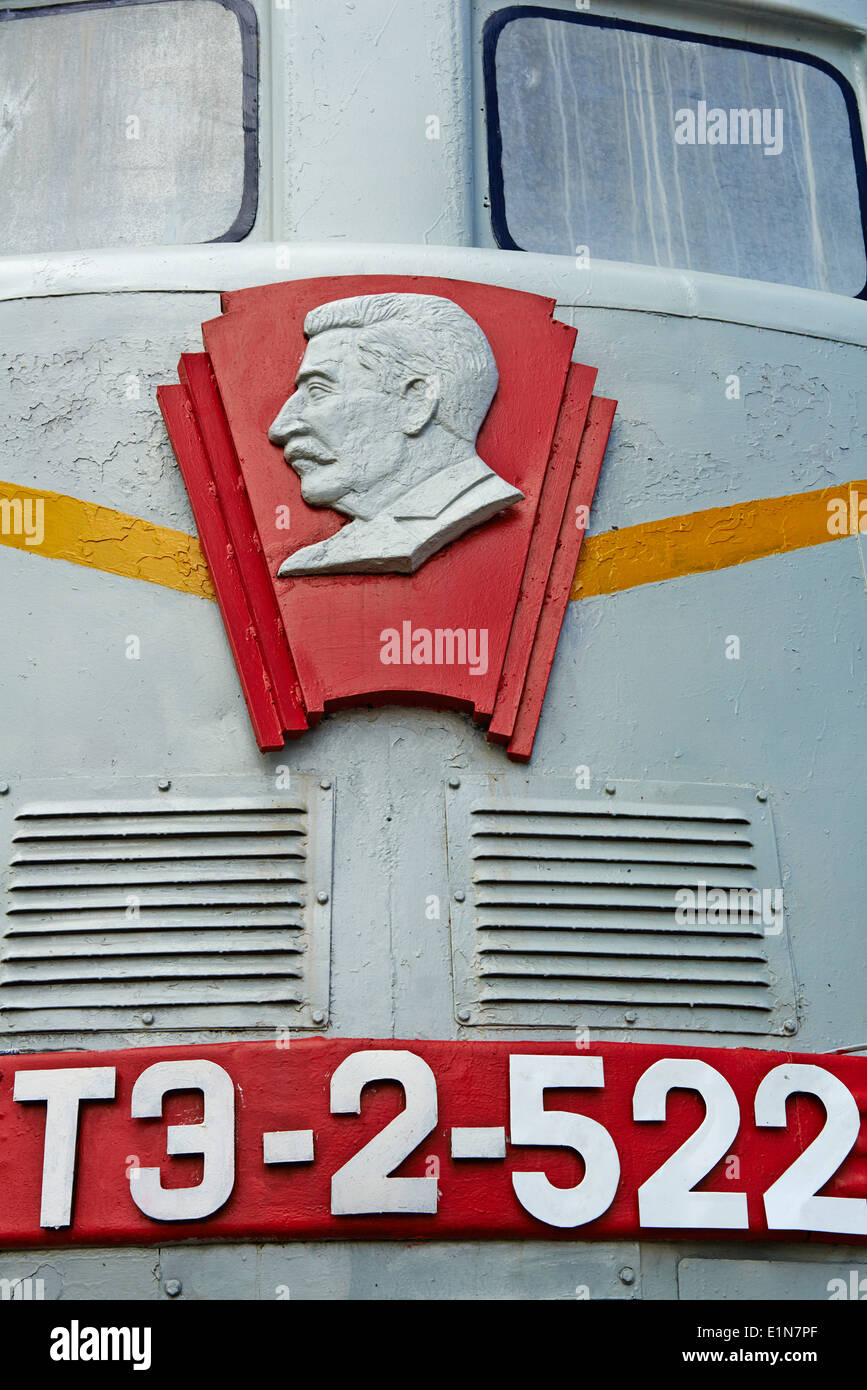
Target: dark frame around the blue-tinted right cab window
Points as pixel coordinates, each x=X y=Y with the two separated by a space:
x=498 y=22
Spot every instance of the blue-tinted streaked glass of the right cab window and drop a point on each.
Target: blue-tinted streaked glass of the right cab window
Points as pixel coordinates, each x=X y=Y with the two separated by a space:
x=680 y=154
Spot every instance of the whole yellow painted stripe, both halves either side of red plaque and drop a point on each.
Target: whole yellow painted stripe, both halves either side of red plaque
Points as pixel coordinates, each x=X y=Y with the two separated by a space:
x=694 y=544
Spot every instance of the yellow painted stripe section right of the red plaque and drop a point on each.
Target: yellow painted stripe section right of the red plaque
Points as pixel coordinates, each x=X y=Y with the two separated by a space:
x=712 y=540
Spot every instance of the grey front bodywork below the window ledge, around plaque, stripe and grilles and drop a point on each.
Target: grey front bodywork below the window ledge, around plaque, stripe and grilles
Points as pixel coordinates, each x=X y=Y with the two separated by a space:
x=657 y=655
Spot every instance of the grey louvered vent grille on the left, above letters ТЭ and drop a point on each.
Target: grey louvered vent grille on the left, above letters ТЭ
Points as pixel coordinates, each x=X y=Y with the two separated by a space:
x=201 y=914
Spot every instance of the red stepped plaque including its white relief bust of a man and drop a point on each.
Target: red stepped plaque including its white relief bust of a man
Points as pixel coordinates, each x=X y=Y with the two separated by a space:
x=472 y=625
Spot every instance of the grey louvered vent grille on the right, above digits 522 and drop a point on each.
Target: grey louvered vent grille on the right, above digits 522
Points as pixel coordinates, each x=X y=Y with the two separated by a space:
x=570 y=910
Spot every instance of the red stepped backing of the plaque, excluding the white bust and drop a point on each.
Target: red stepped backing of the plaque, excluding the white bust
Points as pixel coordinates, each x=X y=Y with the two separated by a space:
x=305 y=646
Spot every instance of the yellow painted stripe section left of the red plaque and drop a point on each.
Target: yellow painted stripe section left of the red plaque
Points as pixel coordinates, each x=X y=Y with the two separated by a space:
x=104 y=540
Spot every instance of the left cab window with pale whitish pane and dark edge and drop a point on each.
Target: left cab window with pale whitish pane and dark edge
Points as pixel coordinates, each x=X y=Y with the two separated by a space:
x=127 y=123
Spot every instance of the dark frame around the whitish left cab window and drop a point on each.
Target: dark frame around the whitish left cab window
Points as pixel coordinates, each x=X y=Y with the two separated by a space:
x=248 y=23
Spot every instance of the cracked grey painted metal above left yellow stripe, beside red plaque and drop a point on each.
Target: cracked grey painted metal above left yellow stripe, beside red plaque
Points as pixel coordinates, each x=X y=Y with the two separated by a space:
x=79 y=409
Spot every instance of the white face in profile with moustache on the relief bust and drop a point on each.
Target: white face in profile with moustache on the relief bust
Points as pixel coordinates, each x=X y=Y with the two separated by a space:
x=340 y=430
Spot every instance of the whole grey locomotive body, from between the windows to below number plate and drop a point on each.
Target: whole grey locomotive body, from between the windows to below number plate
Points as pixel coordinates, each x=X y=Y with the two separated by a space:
x=641 y=687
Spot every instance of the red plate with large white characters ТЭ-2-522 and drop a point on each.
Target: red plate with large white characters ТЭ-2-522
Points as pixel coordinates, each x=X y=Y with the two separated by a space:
x=352 y=1139
